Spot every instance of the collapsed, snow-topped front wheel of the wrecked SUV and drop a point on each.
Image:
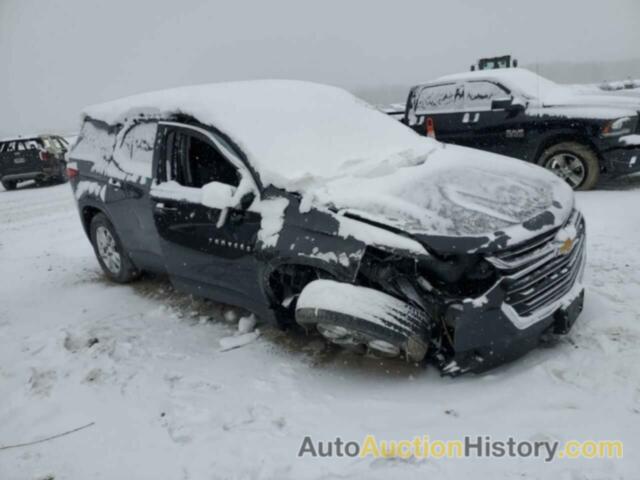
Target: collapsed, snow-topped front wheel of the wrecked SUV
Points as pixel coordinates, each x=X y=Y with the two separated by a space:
x=360 y=318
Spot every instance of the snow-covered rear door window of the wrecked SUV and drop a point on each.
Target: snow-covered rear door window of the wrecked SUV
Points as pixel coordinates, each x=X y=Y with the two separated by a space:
x=134 y=152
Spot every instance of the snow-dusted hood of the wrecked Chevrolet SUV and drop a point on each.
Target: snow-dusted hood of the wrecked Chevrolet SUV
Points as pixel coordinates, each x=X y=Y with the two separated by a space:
x=457 y=200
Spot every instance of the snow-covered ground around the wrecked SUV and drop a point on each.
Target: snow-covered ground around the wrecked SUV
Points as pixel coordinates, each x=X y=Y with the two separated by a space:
x=168 y=400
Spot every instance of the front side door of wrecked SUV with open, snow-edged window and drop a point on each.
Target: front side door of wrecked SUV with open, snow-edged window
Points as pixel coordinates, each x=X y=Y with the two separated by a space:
x=208 y=250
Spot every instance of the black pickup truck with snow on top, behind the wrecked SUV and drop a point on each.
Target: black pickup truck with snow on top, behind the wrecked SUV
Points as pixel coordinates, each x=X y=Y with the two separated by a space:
x=515 y=112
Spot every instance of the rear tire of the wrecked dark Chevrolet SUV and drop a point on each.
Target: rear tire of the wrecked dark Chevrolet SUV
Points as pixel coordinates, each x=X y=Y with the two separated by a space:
x=126 y=271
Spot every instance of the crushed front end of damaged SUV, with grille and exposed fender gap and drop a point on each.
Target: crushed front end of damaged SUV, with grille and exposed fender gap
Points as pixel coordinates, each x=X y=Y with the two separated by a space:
x=490 y=308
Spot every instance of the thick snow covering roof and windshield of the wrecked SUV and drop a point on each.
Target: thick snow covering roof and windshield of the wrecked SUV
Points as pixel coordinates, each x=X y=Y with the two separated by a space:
x=293 y=132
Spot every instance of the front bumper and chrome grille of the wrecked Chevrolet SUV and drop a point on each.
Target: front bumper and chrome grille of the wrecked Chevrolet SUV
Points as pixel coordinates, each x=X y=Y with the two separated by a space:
x=540 y=291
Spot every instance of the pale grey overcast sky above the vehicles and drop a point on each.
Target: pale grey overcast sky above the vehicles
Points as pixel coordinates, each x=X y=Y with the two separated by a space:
x=59 y=55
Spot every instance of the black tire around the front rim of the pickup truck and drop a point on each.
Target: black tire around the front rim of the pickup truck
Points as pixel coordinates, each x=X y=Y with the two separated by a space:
x=587 y=158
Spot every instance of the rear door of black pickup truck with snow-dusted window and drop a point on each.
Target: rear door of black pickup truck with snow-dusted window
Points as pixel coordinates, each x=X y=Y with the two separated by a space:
x=442 y=104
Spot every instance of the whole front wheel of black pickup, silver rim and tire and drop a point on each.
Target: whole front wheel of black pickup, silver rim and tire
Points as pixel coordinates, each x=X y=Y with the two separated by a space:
x=574 y=162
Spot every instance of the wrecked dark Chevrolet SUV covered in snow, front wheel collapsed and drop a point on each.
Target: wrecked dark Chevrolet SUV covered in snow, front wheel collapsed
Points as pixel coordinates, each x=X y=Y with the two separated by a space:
x=376 y=237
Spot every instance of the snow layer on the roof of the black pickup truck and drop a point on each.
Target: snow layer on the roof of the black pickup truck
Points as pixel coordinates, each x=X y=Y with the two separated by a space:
x=526 y=81
